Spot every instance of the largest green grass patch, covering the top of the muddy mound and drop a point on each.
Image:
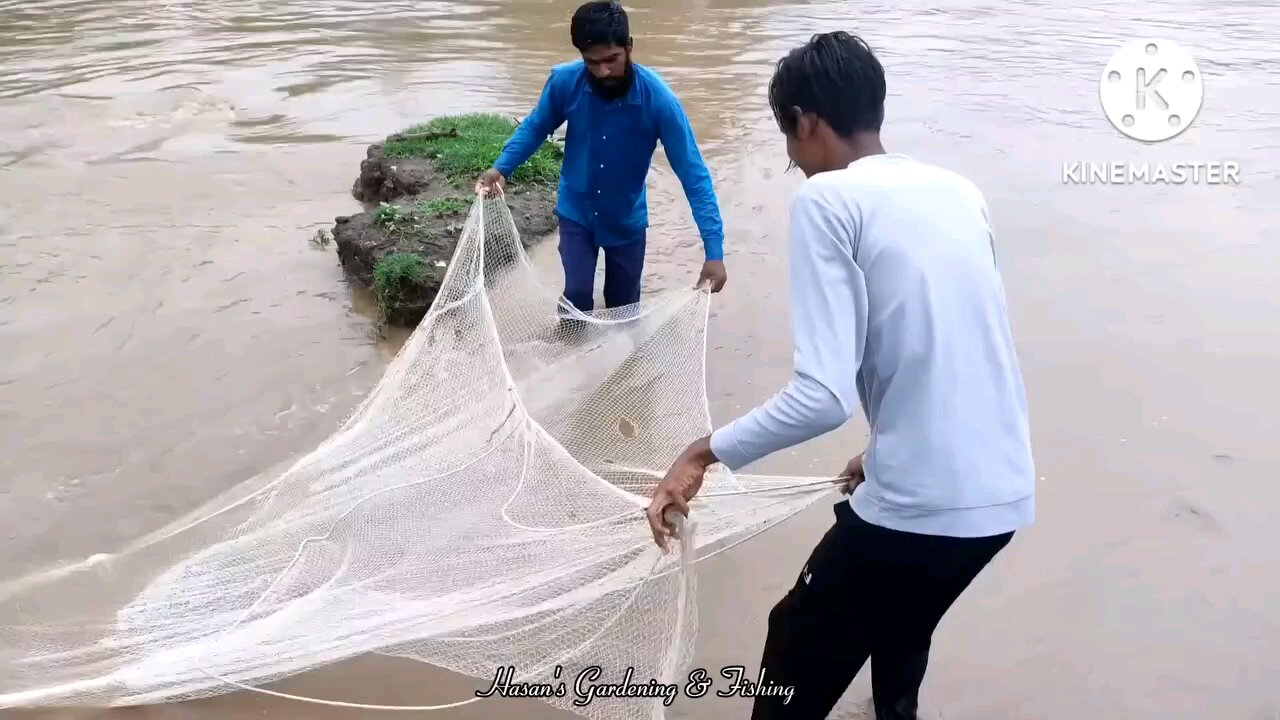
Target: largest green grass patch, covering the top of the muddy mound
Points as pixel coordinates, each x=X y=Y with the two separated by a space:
x=465 y=147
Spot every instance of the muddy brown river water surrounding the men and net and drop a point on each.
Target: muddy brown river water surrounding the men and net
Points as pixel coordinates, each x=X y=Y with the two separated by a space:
x=167 y=330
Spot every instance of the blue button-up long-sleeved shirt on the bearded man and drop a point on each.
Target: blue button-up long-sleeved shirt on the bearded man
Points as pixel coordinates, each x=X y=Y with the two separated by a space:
x=609 y=151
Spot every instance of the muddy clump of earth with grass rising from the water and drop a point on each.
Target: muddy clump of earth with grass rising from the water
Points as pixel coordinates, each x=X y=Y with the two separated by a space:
x=418 y=188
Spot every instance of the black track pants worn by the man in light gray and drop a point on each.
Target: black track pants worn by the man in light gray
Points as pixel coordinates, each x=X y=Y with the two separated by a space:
x=866 y=593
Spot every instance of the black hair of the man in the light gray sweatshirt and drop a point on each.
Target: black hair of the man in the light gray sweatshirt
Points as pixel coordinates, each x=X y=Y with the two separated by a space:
x=834 y=76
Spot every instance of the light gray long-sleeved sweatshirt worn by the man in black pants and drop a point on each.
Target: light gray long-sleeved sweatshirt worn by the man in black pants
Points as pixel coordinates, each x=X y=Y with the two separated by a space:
x=898 y=304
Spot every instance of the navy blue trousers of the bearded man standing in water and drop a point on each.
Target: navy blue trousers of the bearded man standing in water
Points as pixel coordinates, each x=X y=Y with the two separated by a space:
x=624 y=265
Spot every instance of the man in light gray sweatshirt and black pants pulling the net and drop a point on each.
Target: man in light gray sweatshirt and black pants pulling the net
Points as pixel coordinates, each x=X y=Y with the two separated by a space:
x=898 y=306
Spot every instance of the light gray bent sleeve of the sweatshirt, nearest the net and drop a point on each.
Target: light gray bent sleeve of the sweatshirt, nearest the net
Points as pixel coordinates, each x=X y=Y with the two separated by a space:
x=829 y=306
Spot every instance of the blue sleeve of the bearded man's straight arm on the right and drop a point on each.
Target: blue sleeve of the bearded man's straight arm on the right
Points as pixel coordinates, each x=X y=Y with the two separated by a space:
x=682 y=149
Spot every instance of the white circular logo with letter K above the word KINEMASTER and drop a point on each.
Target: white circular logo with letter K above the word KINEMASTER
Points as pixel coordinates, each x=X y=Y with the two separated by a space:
x=1151 y=90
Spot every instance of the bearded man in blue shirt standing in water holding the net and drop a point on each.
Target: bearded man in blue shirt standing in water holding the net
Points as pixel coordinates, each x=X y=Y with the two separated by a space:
x=618 y=112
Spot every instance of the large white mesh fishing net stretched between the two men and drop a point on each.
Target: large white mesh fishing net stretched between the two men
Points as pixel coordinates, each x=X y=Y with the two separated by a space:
x=482 y=509
